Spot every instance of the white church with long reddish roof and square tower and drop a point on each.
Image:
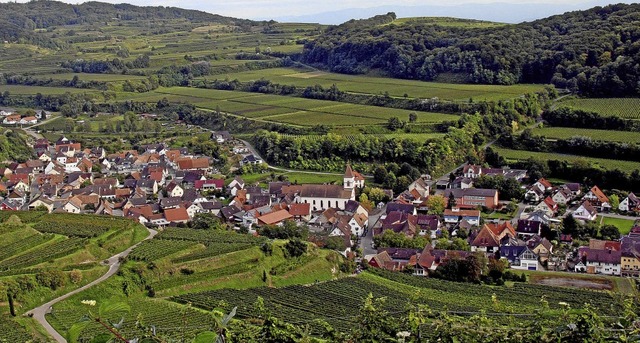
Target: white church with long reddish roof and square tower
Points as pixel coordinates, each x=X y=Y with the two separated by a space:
x=322 y=197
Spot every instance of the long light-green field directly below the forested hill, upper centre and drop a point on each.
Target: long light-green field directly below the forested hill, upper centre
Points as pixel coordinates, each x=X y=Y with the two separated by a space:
x=379 y=85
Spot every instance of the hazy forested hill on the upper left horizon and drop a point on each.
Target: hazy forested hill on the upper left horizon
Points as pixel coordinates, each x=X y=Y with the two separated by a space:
x=19 y=20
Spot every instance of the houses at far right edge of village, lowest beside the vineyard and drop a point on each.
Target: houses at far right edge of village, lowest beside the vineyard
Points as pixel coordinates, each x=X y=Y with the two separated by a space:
x=611 y=257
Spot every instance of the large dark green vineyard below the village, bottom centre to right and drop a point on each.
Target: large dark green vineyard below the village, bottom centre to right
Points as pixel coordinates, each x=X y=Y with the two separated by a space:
x=338 y=302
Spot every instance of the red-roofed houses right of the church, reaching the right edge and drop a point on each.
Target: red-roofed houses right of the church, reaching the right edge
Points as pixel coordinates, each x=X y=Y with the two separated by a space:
x=520 y=241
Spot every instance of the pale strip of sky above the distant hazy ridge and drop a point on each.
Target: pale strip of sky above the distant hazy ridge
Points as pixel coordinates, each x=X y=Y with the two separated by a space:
x=262 y=9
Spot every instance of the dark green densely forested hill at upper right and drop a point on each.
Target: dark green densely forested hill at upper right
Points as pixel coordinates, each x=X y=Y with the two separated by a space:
x=595 y=52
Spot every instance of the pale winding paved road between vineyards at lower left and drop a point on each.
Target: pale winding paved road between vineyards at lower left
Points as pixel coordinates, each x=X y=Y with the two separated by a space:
x=114 y=264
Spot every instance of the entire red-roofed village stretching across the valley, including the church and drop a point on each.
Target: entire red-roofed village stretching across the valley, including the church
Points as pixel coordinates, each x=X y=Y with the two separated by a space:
x=159 y=186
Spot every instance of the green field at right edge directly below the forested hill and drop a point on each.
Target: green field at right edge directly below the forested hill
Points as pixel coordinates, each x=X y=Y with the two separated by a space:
x=622 y=107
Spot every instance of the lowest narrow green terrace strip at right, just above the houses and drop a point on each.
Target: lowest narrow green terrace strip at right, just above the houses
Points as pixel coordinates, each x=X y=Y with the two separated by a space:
x=521 y=155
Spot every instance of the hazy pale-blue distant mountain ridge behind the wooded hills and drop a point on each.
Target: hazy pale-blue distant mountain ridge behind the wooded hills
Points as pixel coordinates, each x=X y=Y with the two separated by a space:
x=498 y=12
